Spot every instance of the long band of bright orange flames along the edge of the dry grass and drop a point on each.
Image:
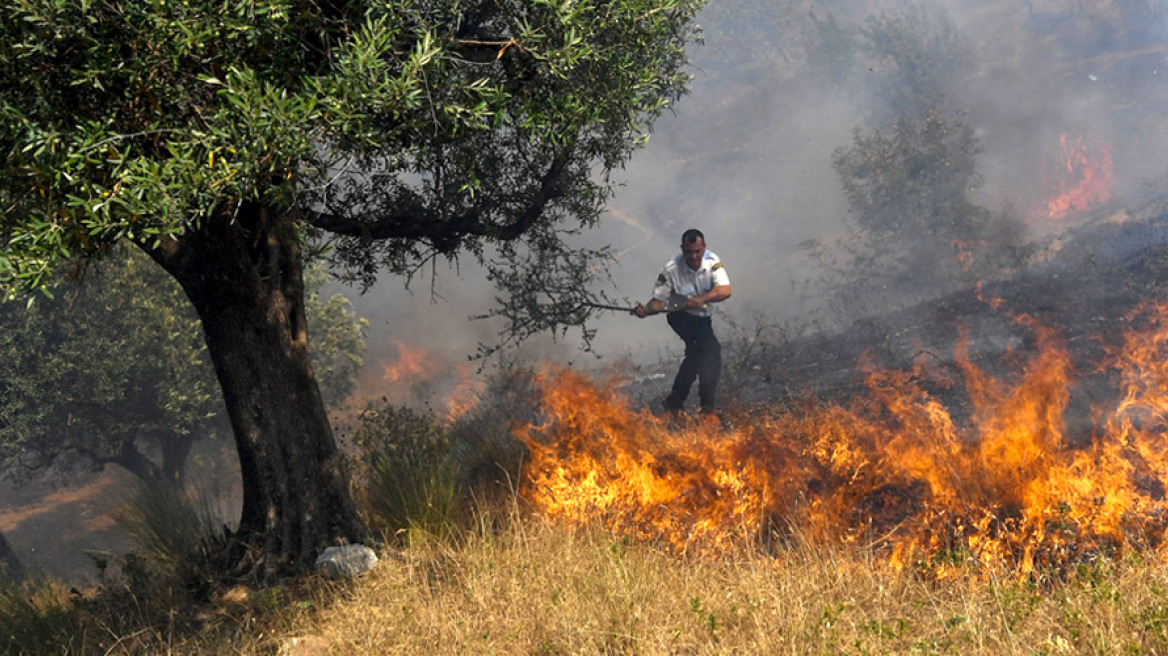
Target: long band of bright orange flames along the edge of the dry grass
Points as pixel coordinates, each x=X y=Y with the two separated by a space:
x=999 y=487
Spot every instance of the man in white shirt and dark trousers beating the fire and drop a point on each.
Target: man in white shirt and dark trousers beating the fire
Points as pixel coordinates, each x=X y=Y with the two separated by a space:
x=692 y=281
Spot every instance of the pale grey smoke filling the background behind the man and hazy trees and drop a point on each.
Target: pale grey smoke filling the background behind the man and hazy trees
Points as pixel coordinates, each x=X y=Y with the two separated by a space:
x=747 y=157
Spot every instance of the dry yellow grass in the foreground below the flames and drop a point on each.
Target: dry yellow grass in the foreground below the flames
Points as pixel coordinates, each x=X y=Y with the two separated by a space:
x=532 y=588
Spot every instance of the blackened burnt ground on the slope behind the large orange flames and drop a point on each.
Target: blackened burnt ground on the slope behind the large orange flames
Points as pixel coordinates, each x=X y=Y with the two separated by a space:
x=1082 y=284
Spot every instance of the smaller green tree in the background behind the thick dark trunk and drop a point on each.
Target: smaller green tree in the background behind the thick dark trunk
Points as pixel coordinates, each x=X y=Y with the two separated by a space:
x=114 y=371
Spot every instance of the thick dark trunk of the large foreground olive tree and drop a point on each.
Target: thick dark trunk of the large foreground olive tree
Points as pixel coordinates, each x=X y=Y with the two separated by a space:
x=244 y=275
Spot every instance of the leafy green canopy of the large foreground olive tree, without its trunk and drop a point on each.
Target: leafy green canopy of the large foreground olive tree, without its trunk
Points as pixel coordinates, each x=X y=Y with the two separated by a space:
x=404 y=129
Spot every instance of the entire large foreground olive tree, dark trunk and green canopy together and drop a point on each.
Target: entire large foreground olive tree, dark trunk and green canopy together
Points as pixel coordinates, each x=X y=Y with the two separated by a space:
x=225 y=137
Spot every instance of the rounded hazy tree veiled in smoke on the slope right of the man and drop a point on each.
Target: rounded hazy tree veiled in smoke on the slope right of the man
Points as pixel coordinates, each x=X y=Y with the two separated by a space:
x=913 y=229
